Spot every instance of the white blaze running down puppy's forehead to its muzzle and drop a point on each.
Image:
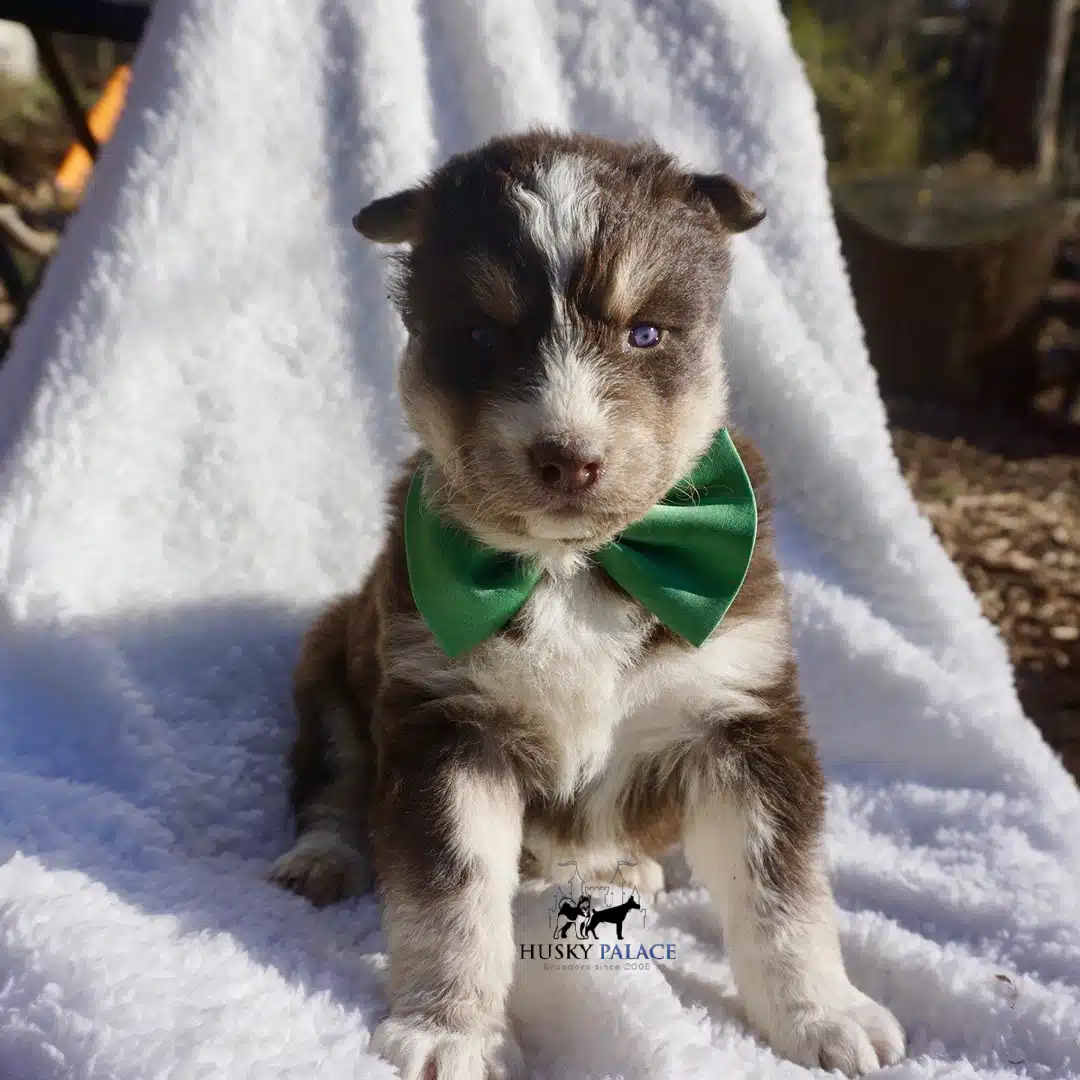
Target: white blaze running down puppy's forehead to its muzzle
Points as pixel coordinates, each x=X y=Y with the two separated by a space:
x=561 y=213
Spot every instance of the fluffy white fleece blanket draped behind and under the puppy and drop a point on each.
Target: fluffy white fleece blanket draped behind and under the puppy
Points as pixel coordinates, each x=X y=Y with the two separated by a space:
x=196 y=428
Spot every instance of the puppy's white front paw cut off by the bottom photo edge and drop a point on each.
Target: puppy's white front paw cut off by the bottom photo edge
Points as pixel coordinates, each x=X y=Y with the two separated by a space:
x=424 y=1051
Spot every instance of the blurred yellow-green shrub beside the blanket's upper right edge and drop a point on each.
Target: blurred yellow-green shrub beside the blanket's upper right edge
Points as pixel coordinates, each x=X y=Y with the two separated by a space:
x=873 y=112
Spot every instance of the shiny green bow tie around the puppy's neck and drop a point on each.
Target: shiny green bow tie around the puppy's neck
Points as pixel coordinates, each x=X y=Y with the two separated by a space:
x=685 y=560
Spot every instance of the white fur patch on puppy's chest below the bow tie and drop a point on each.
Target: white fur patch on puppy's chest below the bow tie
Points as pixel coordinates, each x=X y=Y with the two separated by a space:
x=580 y=671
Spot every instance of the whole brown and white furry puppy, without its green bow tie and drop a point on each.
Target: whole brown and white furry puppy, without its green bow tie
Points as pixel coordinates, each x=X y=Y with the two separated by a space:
x=585 y=730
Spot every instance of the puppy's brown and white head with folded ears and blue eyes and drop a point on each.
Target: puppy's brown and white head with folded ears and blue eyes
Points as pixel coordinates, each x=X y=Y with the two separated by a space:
x=562 y=298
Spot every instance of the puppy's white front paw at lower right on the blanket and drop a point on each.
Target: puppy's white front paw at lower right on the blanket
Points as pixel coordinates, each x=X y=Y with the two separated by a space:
x=857 y=1038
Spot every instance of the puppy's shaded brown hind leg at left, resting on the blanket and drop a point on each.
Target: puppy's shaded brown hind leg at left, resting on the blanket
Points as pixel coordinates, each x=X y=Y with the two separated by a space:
x=332 y=763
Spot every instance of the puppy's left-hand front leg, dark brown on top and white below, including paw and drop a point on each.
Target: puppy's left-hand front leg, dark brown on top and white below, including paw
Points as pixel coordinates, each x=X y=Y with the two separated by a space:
x=448 y=839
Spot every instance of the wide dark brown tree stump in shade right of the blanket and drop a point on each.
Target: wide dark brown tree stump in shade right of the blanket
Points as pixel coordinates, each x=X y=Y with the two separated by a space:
x=952 y=295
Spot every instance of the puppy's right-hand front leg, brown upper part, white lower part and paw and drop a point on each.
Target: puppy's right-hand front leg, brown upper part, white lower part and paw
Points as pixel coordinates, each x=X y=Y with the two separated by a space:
x=753 y=838
